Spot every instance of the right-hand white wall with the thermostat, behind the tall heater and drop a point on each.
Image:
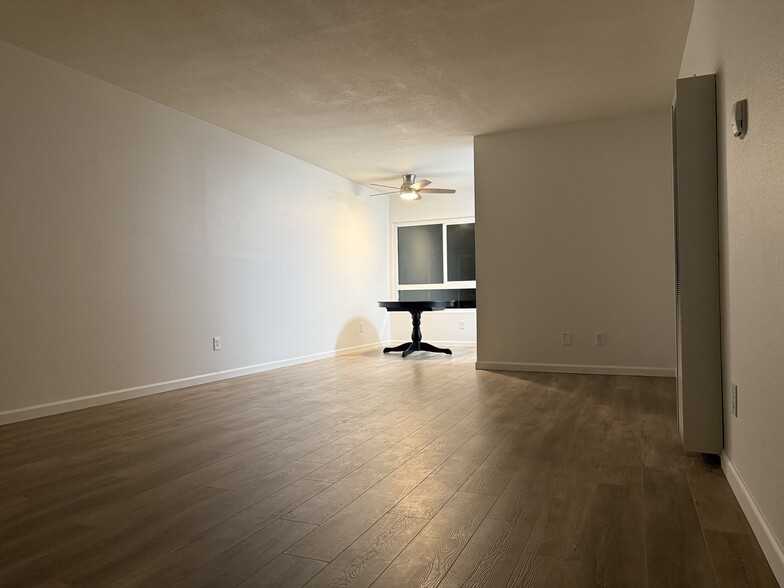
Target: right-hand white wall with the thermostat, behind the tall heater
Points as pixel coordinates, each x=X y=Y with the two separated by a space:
x=744 y=46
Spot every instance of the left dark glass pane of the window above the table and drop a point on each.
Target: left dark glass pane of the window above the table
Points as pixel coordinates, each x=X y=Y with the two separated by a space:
x=420 y=255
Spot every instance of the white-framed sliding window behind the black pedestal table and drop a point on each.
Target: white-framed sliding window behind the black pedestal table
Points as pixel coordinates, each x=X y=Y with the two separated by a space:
x=436 y=261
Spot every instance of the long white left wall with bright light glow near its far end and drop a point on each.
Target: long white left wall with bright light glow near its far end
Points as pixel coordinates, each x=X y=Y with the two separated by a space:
x=130 y=235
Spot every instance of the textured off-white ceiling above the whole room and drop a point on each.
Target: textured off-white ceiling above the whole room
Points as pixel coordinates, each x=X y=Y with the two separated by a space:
x=370 y=89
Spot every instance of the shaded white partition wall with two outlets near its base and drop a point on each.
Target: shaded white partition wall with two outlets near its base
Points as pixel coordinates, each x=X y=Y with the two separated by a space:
x=575 y=233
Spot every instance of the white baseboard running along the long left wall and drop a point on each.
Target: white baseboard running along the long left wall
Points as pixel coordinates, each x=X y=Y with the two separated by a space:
x=40 y=410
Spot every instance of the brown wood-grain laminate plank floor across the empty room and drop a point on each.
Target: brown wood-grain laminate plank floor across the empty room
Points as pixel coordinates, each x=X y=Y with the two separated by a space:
x=372 y=470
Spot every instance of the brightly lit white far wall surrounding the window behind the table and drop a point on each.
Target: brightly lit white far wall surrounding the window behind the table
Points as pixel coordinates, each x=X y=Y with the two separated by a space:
x=437 y=327
